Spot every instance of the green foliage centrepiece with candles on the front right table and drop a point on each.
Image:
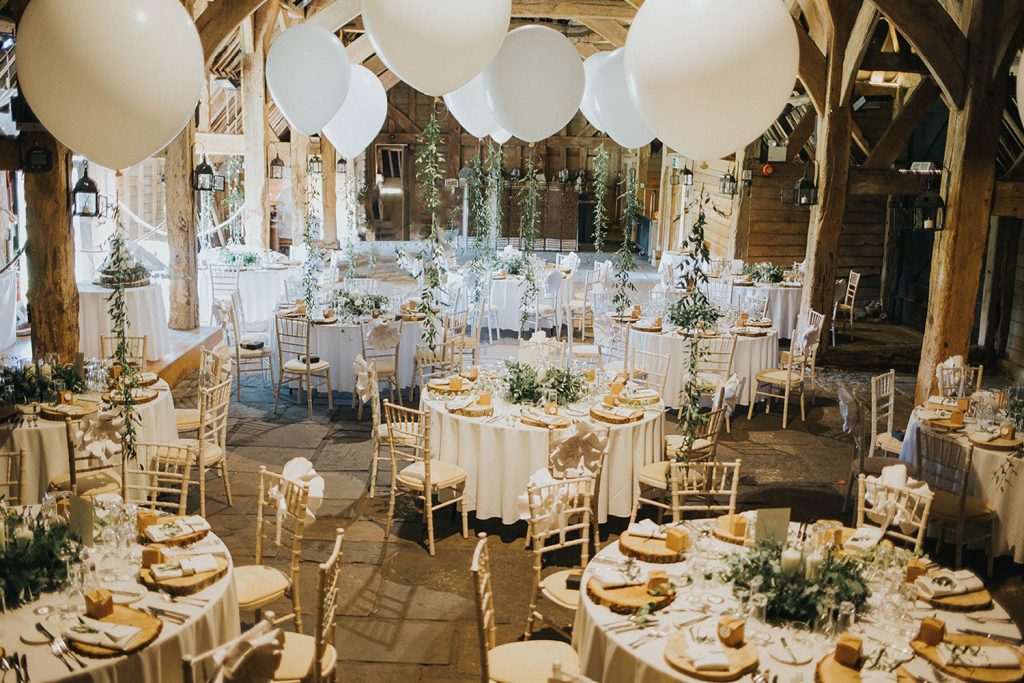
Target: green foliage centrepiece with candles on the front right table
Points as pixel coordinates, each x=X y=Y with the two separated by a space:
x=798 y=594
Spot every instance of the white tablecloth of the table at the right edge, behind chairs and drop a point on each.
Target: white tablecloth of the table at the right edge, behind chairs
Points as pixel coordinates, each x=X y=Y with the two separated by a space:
x=1005 y=497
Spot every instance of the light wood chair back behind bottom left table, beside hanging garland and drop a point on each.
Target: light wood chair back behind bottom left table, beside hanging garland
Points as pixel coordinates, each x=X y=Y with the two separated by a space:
x=159 y=479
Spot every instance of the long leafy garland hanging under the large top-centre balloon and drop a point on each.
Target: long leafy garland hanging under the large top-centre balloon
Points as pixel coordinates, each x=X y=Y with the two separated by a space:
x=430 y=176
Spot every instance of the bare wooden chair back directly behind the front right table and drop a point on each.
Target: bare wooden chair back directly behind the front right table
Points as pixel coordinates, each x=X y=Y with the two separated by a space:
x=705 y=487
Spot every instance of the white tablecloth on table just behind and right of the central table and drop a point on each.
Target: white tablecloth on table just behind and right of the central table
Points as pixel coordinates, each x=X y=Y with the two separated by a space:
x=753 y=355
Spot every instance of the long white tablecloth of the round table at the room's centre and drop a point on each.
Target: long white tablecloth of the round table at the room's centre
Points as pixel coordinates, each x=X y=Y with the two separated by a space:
x=500 y=456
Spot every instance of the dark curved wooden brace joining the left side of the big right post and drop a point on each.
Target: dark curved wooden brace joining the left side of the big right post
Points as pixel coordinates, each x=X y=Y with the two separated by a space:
x=936 y=38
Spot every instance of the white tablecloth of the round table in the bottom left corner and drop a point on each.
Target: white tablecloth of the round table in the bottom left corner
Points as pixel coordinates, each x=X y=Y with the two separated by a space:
x=214 y=625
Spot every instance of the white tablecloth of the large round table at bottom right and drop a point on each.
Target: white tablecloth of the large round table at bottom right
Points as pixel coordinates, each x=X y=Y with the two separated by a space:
x=606 y=656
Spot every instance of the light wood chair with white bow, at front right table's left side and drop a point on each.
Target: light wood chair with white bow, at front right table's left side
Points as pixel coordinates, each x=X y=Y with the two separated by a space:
x=560 y=519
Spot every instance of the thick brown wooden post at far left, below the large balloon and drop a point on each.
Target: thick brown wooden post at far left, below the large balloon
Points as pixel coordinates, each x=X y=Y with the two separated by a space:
x=51 y=250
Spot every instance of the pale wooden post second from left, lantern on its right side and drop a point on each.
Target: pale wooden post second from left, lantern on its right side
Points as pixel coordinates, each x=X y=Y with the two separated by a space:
x=183 y=242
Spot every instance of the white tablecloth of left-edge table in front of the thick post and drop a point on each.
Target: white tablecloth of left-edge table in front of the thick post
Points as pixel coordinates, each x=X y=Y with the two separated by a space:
x=47 y=446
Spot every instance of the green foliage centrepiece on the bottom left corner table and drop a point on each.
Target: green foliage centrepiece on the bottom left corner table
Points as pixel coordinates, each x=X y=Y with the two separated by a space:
x=31 y=562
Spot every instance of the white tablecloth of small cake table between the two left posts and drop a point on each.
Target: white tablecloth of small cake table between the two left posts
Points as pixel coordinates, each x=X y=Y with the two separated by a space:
x=147 y=317
